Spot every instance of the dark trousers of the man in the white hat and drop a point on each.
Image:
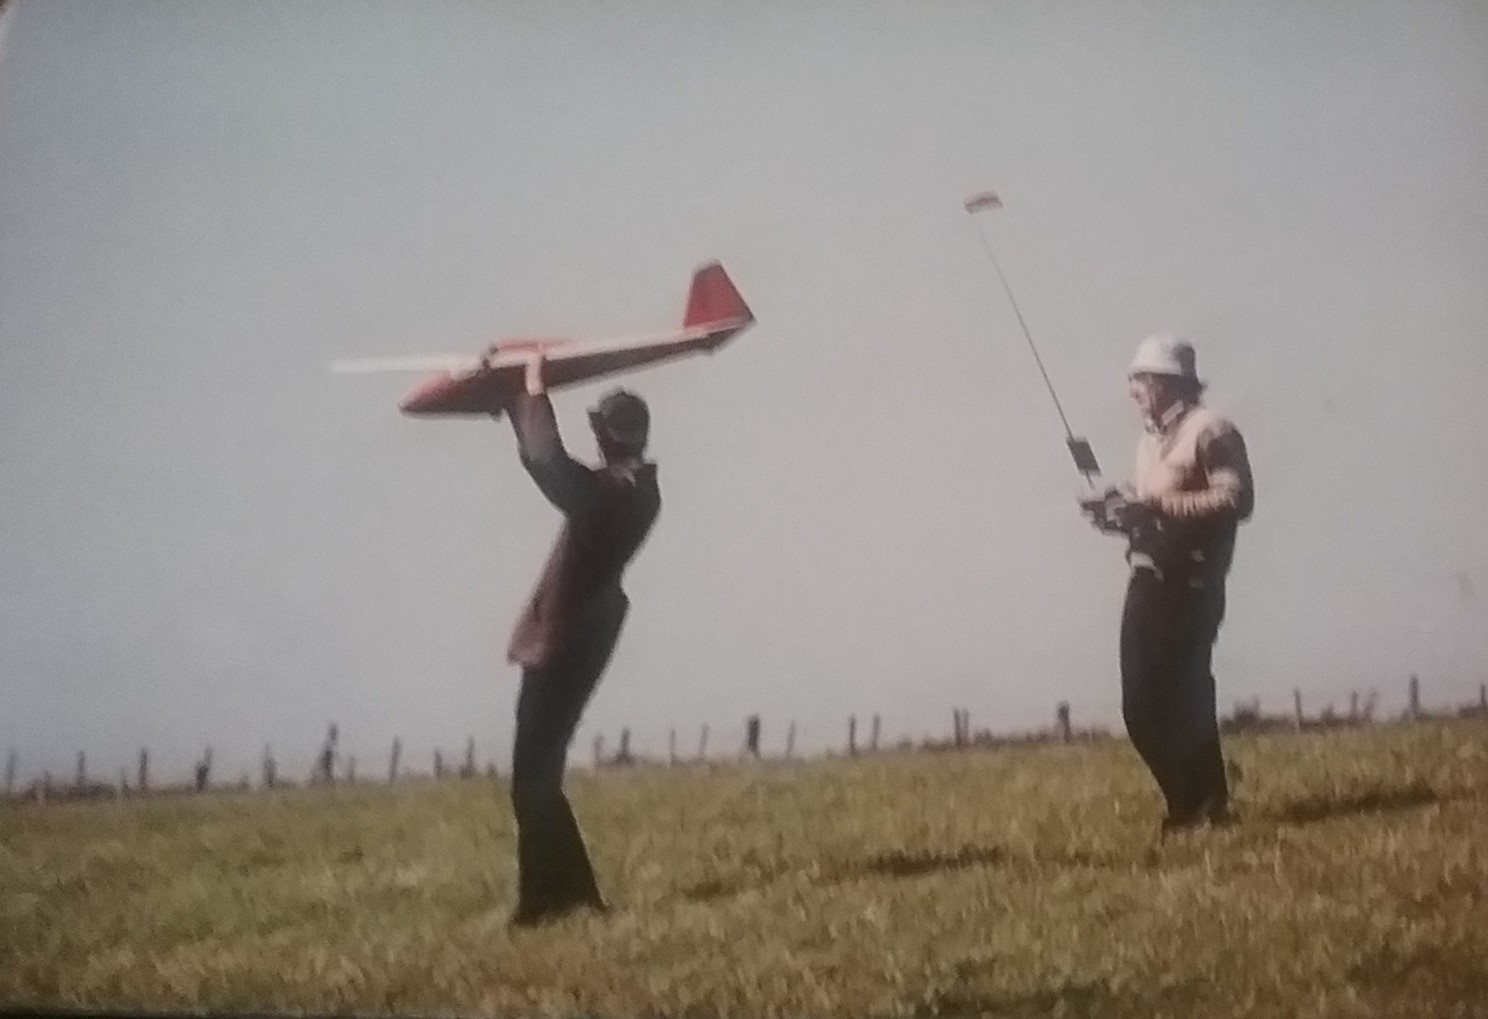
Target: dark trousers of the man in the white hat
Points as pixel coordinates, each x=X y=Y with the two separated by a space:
x=1167 y=640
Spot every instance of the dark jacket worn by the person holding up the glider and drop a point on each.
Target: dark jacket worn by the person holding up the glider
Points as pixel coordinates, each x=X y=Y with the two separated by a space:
x=609 y=511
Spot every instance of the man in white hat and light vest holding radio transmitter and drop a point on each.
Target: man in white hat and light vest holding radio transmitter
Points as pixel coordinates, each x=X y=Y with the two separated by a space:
x=1191 y=490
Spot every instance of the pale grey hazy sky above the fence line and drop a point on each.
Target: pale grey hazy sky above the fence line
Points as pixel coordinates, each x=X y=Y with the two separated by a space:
x=868 y=507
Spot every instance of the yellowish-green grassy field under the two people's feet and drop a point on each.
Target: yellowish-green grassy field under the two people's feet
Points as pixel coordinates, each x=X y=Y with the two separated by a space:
x=980 y=883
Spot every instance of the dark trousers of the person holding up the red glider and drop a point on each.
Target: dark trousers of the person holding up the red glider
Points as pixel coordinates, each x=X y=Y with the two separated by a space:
x=554 y=871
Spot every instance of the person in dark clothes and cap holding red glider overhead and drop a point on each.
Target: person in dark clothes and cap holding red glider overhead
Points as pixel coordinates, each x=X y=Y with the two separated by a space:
x=571 y=626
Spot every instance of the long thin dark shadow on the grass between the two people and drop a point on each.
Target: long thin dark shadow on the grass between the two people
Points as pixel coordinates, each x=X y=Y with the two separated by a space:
x=901 y=864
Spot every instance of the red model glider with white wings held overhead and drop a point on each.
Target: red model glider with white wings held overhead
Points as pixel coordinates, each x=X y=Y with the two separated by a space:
x=483 y=385
